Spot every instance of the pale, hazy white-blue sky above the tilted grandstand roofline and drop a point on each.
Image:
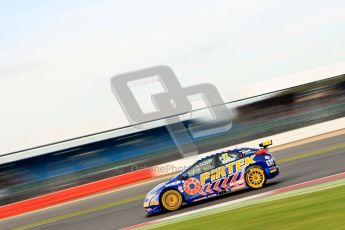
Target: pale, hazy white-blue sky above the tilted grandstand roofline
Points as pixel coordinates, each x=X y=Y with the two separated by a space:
x=56 y=57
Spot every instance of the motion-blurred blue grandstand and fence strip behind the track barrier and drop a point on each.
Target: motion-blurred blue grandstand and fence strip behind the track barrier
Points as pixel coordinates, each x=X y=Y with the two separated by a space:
x=118 y=151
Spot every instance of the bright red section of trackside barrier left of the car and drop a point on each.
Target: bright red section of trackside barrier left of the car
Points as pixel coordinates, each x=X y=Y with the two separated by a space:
x=73 y=193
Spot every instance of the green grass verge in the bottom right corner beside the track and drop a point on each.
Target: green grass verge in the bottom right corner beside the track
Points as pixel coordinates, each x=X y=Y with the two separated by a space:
x=323 y=209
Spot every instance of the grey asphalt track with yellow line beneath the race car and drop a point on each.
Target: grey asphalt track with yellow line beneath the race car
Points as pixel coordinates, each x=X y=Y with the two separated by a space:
x=123 y=207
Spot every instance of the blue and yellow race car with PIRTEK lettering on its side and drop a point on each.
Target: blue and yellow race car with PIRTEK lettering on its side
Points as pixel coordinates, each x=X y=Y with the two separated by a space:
x=214 y=175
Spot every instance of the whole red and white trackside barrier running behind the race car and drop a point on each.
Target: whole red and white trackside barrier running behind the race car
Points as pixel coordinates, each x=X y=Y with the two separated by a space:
x=163 y=169
